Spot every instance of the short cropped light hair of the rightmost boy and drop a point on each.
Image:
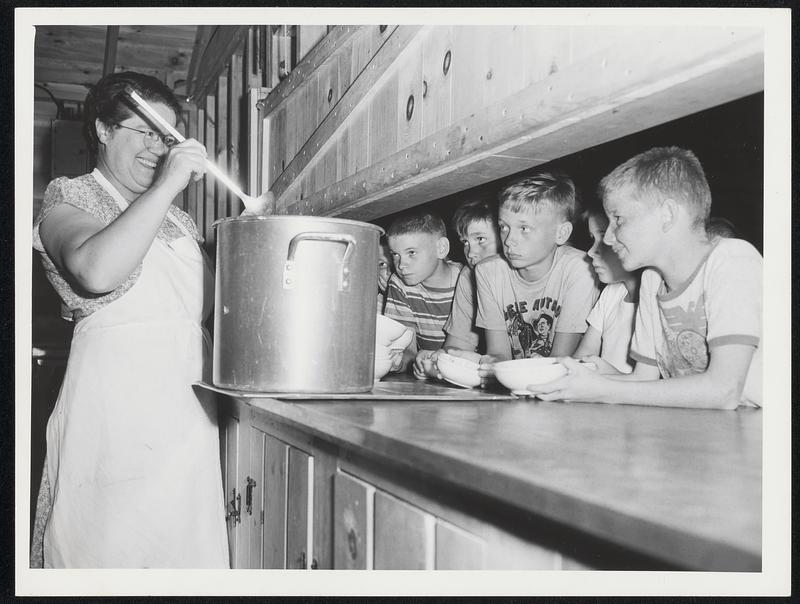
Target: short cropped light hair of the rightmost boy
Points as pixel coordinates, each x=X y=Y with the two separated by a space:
x=666 y=171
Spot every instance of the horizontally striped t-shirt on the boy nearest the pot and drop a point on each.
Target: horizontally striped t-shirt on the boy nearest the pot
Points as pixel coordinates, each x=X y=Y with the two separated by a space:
x=424 y=309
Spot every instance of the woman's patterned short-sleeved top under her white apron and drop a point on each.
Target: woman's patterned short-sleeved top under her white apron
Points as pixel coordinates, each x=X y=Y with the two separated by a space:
x=87 y=194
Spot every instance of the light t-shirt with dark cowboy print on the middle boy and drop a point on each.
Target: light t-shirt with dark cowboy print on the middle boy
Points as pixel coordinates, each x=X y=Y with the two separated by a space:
x=531 y=312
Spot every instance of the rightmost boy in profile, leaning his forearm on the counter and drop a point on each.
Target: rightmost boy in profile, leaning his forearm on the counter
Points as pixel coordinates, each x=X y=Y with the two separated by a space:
x=698 y=325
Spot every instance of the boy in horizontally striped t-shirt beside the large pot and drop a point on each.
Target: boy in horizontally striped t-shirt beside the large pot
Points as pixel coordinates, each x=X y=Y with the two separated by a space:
x=420 y=292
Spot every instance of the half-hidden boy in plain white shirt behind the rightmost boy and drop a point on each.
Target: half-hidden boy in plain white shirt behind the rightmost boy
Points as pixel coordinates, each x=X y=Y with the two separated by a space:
x=607 y=340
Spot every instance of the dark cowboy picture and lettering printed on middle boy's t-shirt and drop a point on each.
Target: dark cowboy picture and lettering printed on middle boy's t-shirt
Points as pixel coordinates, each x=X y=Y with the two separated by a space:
x=530 y=326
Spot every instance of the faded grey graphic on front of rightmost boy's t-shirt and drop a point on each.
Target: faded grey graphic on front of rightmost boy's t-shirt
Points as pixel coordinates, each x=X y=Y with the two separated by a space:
x=685 y=336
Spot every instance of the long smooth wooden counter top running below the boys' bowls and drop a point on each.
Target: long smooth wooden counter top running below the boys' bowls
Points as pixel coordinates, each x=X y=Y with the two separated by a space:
x=669 y=488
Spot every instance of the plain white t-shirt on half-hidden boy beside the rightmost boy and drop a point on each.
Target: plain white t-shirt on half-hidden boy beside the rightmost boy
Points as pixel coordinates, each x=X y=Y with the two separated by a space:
x=613 y=318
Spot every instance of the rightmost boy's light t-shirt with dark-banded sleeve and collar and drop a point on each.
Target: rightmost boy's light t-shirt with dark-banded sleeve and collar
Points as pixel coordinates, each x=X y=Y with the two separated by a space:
x=719 y=304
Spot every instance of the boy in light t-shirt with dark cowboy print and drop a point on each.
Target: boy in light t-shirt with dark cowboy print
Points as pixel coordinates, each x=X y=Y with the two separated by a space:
x=536 y=301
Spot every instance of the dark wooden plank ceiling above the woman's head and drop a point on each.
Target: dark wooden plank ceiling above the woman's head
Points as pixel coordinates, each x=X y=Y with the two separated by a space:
x=68 y=59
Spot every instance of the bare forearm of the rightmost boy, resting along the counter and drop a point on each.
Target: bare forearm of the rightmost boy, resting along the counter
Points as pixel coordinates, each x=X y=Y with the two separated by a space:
x=719 y=387
